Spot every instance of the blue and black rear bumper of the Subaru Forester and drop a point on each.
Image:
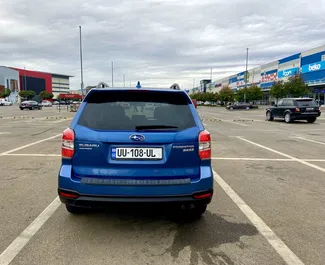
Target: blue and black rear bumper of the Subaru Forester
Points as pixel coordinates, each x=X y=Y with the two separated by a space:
x=97 y=195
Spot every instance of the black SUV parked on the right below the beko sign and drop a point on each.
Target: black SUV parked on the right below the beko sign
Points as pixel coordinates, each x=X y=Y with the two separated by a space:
x=291 y=109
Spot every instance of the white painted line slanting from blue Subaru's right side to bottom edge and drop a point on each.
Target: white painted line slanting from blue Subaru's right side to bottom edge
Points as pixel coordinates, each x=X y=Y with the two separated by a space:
x=279 y=246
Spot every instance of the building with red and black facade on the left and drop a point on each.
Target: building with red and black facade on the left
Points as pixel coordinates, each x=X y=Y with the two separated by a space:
x=21 y=79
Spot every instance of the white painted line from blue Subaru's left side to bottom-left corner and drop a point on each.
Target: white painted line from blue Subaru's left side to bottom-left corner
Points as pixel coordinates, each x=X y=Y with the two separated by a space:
x=18 y=244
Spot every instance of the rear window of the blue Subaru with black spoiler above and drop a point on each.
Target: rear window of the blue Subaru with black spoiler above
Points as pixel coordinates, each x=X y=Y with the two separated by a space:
x=131 y=110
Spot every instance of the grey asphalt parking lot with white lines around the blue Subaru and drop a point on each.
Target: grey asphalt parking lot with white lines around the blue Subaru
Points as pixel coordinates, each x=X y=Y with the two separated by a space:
x=268 y=206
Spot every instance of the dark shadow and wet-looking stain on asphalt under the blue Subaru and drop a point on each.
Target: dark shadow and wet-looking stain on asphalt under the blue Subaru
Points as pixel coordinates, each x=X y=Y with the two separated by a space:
x=203 y=236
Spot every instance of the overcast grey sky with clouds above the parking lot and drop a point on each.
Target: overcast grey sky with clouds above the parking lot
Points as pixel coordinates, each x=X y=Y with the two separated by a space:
x=158 y=42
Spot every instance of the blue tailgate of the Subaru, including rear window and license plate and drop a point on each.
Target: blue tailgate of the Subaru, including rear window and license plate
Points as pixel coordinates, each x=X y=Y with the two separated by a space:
x=114 y=141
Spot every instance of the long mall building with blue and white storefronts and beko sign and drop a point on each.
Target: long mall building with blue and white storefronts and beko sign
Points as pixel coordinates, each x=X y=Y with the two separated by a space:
x=311 y=64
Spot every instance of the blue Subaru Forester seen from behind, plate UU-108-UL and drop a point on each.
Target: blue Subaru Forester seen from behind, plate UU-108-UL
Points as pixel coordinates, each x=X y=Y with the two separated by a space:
x=136 y=145
